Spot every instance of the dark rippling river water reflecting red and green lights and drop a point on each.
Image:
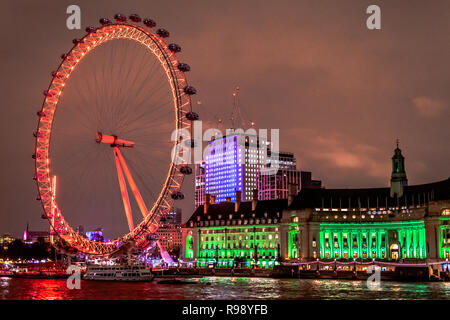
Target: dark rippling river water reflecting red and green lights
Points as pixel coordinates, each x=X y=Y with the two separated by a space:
x=223 y=288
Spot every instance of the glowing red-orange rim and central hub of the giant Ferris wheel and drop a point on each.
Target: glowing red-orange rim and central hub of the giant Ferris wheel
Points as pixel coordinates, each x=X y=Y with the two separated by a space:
x=94 y=38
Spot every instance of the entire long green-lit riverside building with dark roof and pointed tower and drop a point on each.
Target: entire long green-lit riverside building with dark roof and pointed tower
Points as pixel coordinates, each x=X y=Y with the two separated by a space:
x=390 y=224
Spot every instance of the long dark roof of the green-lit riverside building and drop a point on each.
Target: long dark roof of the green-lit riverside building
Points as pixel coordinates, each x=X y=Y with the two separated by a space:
x=417 y=195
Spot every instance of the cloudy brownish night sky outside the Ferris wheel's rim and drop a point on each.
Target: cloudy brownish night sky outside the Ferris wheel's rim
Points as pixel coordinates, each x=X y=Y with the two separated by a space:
x=339 y=93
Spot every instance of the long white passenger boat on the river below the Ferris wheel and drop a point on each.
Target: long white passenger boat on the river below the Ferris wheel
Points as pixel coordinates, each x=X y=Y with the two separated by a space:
x=118 y=273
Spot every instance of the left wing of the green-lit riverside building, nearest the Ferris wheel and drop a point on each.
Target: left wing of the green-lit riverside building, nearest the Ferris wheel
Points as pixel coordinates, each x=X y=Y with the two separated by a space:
x=237 y=234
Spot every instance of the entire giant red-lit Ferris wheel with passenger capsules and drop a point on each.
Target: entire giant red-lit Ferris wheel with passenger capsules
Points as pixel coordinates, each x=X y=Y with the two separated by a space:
x=106 y=127
